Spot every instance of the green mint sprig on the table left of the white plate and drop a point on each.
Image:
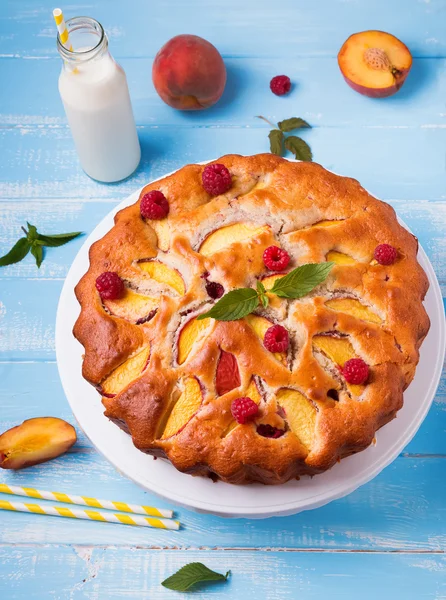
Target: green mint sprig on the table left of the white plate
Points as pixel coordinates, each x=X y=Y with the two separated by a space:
x=35 y=242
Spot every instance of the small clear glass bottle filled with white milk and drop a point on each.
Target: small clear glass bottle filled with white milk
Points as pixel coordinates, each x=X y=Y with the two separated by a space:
x=94 y=91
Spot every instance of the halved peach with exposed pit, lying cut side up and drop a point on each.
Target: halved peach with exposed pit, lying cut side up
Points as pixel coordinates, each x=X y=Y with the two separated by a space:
x=374 y=63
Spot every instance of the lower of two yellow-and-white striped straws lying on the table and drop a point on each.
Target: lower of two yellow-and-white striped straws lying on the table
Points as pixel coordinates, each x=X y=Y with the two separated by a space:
x=89 y=515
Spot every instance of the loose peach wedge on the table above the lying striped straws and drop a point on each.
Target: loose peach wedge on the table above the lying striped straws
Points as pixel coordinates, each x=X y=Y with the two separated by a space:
x=35 y=441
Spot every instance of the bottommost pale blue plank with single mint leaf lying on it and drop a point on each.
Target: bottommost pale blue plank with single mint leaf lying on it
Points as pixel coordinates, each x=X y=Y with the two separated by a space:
x=79 y=573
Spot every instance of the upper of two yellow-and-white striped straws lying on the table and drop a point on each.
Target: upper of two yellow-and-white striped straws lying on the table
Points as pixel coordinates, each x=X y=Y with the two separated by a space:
x=85 y=501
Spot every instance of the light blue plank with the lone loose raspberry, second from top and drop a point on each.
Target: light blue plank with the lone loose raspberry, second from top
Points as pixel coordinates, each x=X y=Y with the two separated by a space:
x=419 y=103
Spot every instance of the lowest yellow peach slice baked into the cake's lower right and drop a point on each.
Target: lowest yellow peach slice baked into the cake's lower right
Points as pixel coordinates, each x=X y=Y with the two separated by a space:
x=300 y=414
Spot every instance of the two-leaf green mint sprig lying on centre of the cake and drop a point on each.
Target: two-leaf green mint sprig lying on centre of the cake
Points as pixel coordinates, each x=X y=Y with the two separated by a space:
x=243 y=301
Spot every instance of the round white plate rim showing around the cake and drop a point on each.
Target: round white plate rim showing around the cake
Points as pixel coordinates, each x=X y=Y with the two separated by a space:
x=255 y=500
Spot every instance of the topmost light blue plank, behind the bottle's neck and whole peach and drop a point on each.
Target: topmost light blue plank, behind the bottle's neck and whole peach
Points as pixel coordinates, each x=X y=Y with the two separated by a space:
x=249 y=28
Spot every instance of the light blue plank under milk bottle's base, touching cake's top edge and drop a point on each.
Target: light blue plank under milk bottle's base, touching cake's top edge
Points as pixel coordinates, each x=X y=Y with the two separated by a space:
x=409 y=164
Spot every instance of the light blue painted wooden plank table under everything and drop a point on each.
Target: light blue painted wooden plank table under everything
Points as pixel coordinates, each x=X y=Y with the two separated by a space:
x=387 y=539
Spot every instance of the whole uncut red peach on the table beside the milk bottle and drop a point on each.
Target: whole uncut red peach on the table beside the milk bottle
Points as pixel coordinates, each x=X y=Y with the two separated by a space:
x=189 y=73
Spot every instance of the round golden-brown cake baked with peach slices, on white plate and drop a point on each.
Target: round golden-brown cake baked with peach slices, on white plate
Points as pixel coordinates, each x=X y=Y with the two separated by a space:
x=169 y=380
